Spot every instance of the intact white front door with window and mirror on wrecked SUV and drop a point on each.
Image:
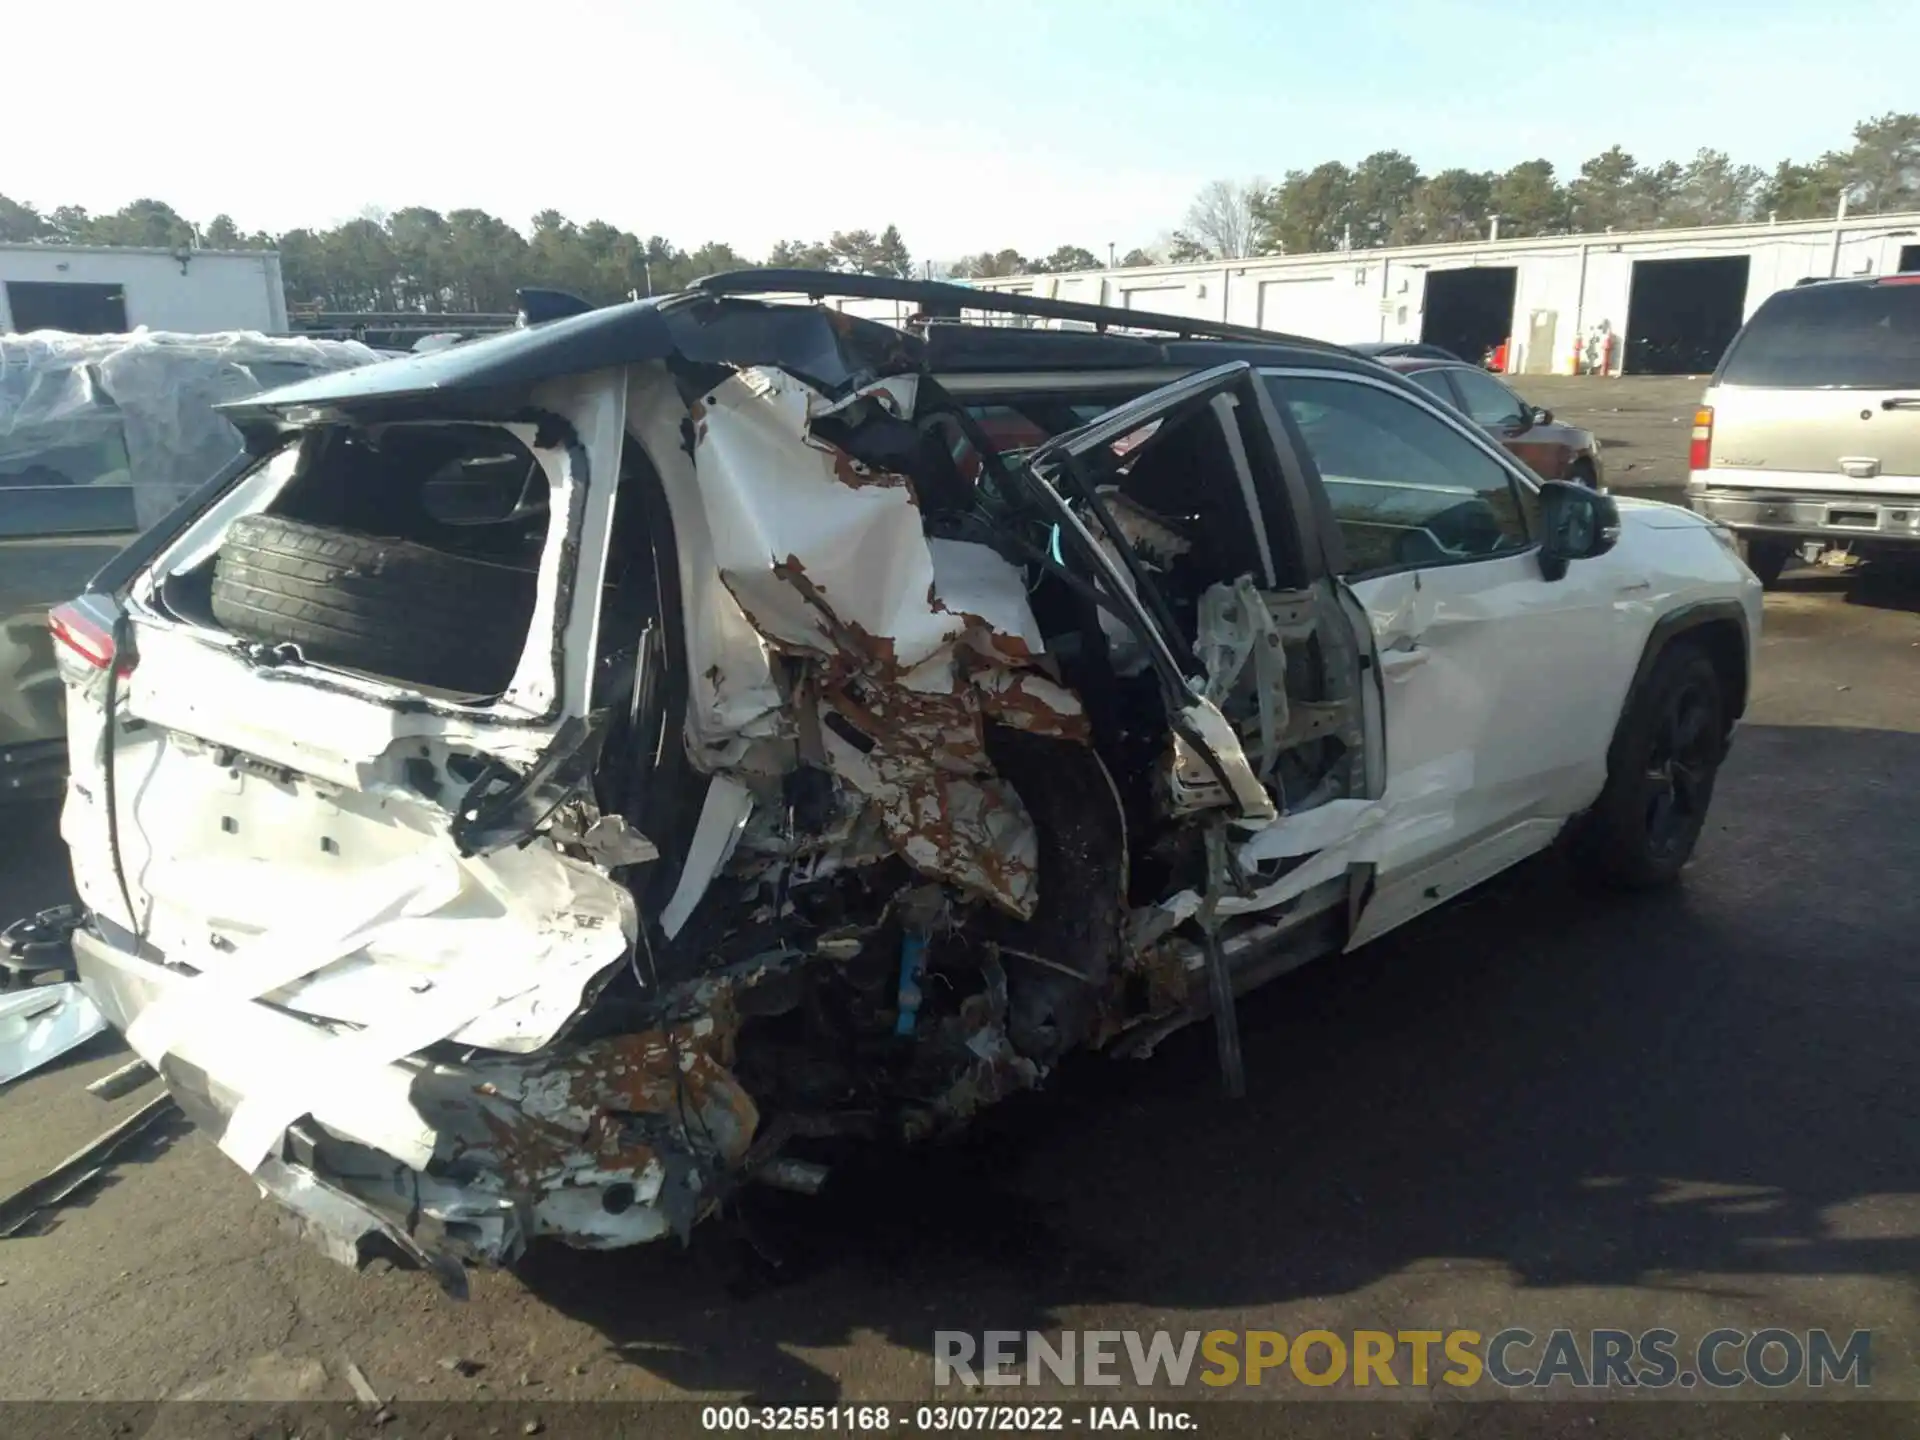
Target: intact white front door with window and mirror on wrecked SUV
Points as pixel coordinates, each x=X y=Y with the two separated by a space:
x=1497 y=683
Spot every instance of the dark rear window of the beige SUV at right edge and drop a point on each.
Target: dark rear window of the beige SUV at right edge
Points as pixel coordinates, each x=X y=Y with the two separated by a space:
x=1838 y=337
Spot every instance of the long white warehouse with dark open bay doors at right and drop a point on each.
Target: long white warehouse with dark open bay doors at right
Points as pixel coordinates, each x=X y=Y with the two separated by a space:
x=1652 y=302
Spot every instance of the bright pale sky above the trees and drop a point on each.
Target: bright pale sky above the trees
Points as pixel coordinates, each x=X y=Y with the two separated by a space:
x=971 y=126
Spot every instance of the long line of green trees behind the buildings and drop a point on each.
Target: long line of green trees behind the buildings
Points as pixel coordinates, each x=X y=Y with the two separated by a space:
x=473 y=262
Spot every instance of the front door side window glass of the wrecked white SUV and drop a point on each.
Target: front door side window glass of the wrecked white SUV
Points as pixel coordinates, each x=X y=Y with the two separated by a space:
x=1406 y=489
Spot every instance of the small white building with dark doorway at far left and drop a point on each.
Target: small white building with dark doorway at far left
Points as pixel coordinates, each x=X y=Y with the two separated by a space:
x=110 y=291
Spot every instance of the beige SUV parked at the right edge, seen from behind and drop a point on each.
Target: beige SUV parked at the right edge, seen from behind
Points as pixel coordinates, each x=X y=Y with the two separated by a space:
x=1810 y=433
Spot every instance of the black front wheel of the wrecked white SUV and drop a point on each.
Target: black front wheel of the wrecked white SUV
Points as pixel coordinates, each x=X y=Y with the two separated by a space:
x=1660 y=775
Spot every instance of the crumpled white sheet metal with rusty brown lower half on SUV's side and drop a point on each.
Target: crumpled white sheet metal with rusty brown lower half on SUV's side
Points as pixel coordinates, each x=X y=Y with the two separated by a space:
x=909 y=644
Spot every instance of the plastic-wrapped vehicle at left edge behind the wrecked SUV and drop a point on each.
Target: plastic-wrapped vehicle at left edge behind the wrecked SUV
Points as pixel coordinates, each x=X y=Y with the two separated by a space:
x=99 y=439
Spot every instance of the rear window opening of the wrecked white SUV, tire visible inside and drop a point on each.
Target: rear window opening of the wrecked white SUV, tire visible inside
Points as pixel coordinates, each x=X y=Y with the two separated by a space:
x=404 y=552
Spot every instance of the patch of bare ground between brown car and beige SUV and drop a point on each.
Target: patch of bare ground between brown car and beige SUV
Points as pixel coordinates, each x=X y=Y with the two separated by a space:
x=1643 y=423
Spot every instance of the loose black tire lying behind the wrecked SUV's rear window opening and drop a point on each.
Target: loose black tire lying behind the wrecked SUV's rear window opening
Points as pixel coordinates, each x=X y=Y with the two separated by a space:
x=391 y=608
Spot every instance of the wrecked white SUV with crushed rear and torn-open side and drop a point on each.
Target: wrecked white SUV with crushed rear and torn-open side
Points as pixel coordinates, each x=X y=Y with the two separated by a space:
x=567 y=777
